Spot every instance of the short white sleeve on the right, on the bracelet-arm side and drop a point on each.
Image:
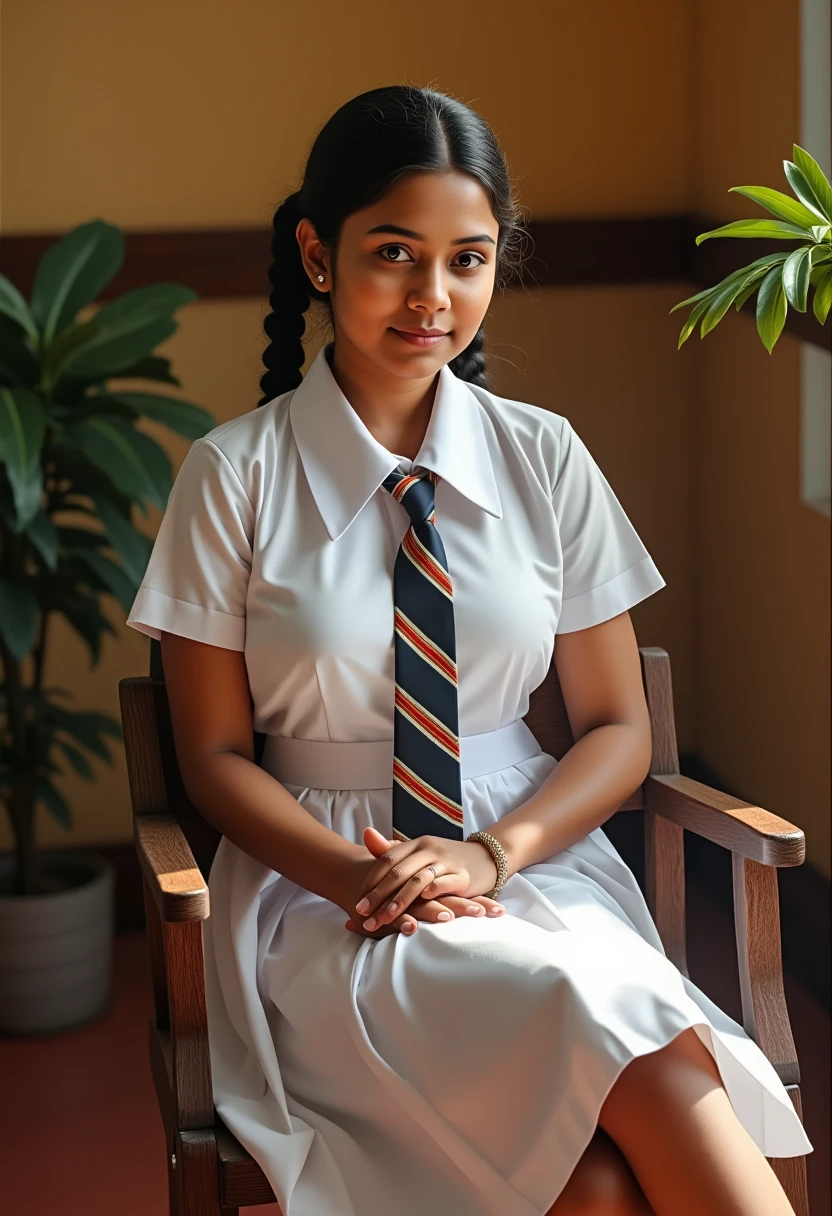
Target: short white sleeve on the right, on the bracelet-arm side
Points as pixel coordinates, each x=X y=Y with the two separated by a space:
x=606 y=567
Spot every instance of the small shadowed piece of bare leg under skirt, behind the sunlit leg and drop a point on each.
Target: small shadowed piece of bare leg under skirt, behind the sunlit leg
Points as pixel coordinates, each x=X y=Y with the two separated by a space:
x=601 y=1185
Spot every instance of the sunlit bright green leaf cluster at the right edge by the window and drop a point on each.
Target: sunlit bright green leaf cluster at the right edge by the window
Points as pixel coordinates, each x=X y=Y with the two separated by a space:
x=783 y=279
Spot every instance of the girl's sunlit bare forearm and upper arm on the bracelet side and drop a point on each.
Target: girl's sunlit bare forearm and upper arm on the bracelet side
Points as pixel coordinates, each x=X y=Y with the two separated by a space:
x=600 y=675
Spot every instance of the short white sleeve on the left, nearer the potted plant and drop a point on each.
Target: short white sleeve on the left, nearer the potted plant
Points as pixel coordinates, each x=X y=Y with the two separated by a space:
x=198 y=575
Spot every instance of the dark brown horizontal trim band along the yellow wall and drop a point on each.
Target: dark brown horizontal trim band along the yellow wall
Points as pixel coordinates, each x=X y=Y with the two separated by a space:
x=234 y=263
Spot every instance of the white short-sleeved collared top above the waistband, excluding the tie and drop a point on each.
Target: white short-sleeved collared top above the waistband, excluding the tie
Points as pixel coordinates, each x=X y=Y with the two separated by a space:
x=279 y=541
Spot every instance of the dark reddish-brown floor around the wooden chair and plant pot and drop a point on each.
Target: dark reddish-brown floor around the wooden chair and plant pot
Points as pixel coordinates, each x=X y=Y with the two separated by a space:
x=82 y=1136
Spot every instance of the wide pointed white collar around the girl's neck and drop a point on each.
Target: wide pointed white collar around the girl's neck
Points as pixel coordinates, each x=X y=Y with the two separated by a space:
x=345 y=464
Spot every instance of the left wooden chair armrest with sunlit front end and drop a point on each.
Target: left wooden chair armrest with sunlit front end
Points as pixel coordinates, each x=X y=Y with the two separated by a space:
x=176 y=883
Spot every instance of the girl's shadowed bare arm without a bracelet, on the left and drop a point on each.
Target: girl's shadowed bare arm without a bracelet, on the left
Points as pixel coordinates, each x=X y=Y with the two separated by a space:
x=211 y=713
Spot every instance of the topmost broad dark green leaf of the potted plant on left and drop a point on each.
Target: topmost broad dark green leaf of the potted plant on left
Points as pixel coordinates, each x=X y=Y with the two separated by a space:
x=72 y=273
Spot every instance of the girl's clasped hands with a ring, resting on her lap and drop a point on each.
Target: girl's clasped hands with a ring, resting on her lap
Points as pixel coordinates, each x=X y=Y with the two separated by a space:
x=401 y=880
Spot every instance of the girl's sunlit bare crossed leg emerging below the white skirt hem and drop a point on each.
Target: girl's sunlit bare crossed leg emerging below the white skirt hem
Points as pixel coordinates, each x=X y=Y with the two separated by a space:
x=672 y=1119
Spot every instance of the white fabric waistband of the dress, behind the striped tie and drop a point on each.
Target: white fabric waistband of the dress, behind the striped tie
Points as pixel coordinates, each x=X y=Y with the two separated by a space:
x=324 y=765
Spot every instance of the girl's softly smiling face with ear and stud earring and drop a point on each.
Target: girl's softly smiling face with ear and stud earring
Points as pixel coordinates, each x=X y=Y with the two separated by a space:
x=423 y=258
